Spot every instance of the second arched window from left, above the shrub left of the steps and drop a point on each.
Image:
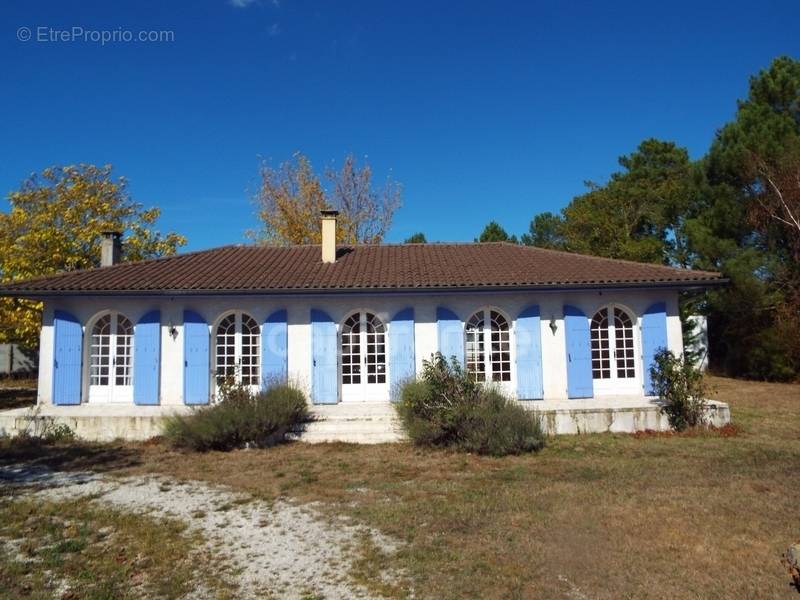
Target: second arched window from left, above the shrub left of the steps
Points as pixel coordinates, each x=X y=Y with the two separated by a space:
x=238 y=349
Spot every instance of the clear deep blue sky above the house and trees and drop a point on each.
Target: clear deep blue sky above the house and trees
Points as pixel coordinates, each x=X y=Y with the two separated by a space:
x=481 y=110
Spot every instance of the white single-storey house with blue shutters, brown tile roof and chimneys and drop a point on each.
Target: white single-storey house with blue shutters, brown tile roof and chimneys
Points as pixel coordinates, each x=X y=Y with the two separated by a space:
x=350 y=323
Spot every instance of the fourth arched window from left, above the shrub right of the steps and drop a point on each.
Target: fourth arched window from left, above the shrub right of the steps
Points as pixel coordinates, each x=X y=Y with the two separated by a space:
x=490 y=362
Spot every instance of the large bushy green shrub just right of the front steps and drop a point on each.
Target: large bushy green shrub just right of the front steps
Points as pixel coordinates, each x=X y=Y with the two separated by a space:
x=447 y=408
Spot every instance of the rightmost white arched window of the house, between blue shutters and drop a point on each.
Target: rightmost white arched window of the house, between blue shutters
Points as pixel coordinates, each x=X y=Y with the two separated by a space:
x=612 y=344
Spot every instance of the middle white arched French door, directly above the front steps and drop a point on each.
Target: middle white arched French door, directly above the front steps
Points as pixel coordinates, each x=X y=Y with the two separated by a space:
x=363 y=348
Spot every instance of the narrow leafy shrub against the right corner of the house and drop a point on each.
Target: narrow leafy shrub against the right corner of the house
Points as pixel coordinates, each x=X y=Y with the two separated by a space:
x=680 y=387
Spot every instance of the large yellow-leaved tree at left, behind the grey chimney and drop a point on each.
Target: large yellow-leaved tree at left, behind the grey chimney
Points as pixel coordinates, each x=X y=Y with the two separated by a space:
x=55 y=224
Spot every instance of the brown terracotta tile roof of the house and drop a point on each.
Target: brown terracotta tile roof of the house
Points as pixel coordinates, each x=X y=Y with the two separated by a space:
x=264 y=269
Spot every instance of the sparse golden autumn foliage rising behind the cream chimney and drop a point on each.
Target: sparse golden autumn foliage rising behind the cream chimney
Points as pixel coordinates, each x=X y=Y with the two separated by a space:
x=291 y=196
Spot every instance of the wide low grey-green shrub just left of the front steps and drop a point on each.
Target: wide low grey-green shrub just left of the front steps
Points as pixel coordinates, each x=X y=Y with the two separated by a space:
x=240 y=419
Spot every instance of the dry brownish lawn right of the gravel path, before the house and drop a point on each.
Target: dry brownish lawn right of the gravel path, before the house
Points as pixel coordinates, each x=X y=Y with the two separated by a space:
x=607 y=516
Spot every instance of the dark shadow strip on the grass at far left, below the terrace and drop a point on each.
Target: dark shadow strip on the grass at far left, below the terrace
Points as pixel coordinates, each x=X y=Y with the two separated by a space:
x=73 y=456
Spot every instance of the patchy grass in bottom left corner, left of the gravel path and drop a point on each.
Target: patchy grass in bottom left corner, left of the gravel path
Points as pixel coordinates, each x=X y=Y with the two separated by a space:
x=78 y=549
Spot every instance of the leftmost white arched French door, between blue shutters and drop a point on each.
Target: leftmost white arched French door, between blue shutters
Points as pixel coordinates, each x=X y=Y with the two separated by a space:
x=111 y=358
